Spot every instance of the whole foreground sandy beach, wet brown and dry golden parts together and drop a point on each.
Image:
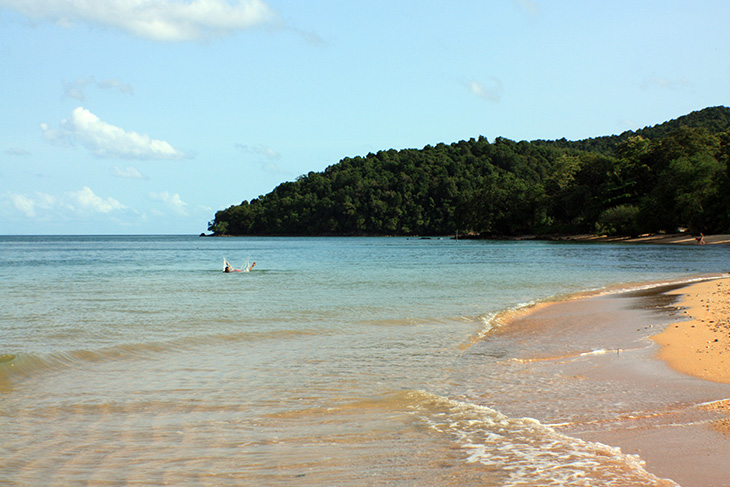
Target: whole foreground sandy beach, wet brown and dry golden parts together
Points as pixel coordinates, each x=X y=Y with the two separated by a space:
x=659 y=386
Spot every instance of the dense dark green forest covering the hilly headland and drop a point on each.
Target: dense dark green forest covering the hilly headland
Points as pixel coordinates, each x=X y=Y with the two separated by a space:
x=661 y=178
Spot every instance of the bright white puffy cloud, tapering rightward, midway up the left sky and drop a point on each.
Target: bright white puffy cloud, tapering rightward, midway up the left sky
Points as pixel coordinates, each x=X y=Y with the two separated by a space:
x=106 y=140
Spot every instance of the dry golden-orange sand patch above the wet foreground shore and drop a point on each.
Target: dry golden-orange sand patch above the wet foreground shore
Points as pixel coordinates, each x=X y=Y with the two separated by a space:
x=701 y=346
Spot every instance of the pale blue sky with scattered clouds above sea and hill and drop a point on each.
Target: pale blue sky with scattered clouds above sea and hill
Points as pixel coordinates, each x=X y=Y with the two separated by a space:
x=148 y=116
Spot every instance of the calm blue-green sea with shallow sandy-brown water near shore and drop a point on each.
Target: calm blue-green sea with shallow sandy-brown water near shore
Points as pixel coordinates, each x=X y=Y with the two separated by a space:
x=133 y=360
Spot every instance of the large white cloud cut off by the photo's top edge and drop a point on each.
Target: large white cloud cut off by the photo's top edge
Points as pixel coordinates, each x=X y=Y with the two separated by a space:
x=160 y=20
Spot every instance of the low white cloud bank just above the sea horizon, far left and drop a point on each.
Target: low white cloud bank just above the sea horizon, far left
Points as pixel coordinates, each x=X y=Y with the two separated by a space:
x=81 y=202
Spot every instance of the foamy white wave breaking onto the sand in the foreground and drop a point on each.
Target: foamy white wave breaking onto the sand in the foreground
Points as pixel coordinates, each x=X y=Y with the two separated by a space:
x=525 y=451
